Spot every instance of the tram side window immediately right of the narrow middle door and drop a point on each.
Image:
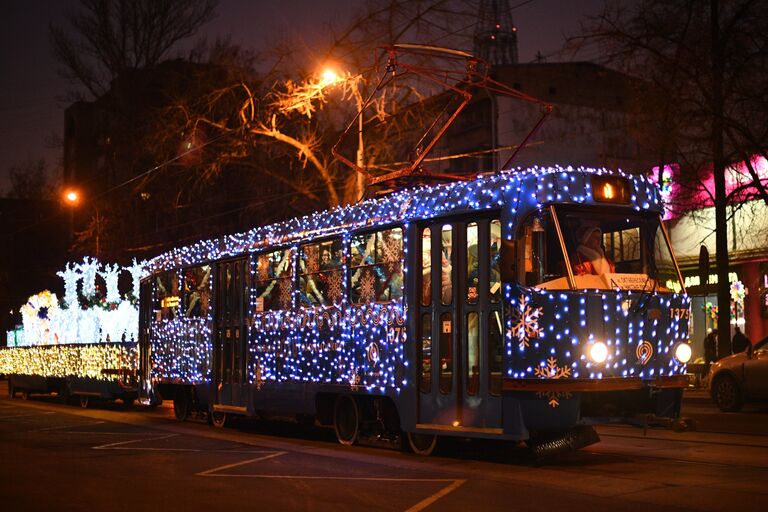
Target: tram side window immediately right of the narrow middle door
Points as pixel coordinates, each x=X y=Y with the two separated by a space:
x=274 y=276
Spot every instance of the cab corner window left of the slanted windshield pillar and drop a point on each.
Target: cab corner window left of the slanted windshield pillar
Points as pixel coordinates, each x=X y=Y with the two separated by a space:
x=542 y=256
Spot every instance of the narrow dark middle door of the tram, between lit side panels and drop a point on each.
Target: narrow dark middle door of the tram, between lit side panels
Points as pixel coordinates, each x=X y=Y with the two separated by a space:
x=230 y=348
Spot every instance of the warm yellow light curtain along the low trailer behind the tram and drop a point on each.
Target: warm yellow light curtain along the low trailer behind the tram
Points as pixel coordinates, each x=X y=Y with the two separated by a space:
x=87 y=361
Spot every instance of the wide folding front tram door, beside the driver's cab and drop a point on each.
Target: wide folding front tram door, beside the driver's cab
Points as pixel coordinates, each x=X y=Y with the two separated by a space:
x=461 y=326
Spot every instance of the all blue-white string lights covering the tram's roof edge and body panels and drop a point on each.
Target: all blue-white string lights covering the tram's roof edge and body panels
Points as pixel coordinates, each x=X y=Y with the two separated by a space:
x=364 y=344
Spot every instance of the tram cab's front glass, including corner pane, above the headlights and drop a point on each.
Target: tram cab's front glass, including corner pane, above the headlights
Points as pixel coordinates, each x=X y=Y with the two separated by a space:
x=604 y=249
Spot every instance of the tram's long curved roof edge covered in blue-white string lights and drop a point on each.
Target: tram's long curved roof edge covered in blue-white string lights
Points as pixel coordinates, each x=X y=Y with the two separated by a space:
x=522 y=189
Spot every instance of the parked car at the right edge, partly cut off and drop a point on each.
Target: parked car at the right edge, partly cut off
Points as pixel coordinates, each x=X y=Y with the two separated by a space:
x=740 y=378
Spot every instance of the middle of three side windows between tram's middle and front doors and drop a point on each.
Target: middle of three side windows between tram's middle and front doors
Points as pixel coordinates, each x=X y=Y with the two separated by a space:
x=320 y=273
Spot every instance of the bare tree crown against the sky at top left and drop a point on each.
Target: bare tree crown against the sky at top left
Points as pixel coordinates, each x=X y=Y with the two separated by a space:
x=104 y=38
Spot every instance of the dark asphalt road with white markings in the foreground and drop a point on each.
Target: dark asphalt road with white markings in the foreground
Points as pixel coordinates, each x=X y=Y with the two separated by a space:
x=54 y=456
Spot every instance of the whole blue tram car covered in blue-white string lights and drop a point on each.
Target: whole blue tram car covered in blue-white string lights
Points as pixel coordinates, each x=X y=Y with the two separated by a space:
x=451 y=310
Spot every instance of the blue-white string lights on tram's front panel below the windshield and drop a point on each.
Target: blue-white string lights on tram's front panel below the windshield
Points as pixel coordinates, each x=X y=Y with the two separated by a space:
x=568 y=334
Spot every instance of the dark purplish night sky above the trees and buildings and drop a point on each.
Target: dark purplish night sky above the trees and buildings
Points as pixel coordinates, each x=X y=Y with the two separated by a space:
x=31 y=106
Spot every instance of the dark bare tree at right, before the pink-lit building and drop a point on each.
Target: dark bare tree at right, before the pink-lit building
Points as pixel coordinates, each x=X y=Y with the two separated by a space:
x=708 y=62
